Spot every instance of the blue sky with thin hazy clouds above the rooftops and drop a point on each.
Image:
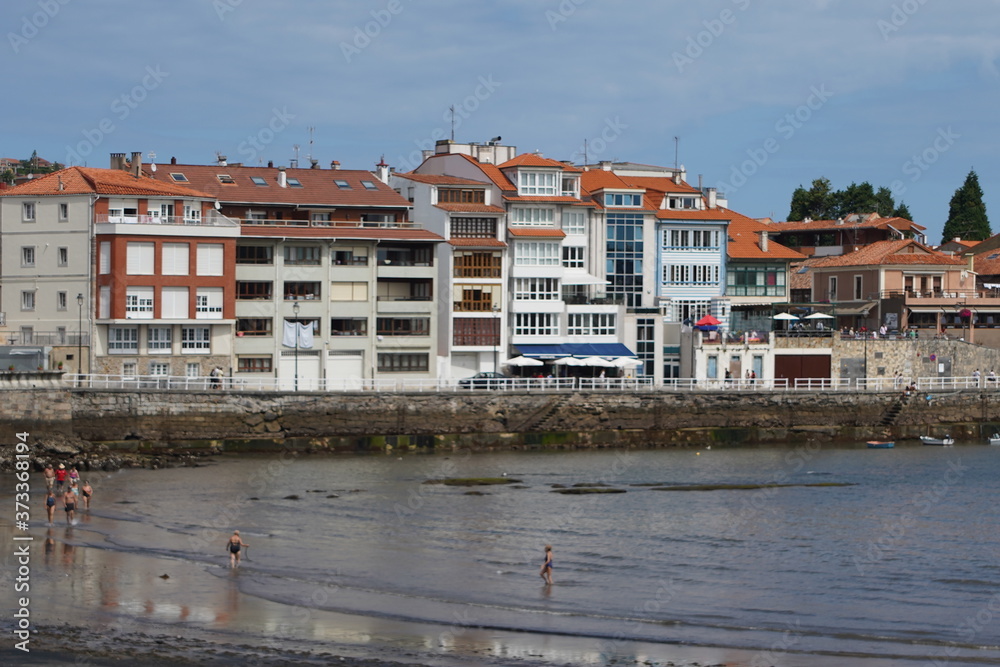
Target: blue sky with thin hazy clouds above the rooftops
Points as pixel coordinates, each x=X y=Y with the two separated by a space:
x=755 y=98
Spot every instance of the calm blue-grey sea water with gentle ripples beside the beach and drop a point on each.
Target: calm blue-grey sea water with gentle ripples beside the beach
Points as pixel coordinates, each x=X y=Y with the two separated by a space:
x=880 y=553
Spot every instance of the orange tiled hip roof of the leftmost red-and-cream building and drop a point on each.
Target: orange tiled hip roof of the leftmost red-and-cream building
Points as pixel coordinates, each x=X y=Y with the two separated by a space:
x=112 y=182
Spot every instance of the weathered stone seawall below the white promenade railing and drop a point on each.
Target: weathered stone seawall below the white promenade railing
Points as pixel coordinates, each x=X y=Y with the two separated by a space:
x=655 y=418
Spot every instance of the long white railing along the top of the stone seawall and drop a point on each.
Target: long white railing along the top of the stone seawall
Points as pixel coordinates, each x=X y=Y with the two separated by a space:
x=309 y=384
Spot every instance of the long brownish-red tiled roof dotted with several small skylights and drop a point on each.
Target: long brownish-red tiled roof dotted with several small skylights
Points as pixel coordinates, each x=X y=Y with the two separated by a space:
x=318 y=186
